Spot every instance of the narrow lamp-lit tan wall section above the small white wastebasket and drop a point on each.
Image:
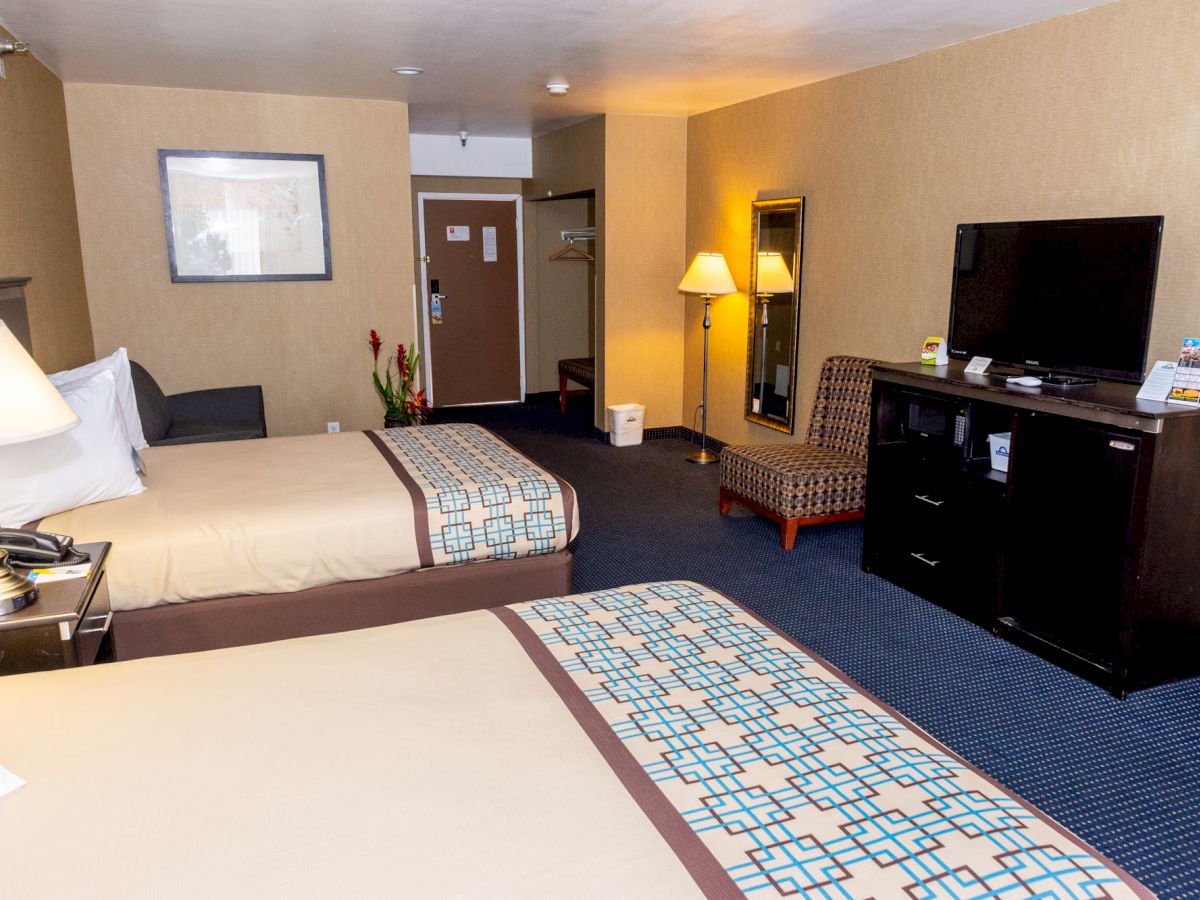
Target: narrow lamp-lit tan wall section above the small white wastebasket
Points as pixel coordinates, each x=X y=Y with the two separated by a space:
x=646 y=163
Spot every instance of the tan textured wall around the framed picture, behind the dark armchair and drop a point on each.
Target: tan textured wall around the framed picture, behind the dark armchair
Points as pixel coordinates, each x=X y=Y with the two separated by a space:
x=305 y=343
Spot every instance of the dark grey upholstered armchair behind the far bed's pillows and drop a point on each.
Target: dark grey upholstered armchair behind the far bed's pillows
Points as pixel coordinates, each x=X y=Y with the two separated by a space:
x=197 y=417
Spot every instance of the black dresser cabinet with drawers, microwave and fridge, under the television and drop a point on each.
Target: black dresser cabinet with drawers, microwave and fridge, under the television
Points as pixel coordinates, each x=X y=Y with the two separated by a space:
x=1085 y=551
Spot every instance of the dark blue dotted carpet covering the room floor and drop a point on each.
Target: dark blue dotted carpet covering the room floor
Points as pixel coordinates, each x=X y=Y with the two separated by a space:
x=1123 y=776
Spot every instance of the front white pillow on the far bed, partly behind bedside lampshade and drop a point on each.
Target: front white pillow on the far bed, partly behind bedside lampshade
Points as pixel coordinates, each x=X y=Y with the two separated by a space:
x=87 y=465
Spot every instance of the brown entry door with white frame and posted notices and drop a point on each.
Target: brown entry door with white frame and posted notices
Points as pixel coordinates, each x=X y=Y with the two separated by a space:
x=475 y=351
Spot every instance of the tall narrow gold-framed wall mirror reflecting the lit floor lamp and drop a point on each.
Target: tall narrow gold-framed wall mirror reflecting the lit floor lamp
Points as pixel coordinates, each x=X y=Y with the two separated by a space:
x=777 y=238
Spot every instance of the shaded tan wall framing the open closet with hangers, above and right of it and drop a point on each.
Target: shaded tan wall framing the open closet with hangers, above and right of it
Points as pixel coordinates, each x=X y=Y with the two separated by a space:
x=568 y=161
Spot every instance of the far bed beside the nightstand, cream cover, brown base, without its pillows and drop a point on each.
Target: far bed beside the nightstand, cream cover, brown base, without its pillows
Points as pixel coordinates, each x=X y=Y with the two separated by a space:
x=257 y=541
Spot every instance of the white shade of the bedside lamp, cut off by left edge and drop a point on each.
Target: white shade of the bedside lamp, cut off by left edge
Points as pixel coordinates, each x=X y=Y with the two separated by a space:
x=31 y=407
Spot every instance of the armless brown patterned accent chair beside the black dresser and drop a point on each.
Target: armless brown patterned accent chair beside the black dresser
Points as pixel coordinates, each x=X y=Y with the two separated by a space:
x=825 y=478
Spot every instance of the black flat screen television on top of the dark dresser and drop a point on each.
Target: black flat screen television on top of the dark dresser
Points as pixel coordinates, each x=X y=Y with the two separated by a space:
x=1067 y=297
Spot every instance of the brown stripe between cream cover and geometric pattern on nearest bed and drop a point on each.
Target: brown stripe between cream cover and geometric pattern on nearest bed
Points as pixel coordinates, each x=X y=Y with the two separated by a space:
x=693 y=854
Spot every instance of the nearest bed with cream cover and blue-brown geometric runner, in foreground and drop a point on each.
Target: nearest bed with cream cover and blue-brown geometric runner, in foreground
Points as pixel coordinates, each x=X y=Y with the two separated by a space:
x=651 y=741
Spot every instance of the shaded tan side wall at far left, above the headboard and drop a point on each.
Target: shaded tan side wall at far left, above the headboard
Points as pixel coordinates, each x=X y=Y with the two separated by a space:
x=39 y=230
